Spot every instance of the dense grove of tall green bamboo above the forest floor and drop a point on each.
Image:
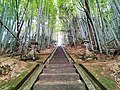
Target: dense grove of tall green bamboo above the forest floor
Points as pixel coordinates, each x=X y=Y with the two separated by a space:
x=95 y=20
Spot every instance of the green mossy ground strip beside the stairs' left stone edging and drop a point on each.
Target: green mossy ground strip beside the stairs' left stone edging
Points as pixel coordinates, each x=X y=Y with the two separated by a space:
x=12 y=83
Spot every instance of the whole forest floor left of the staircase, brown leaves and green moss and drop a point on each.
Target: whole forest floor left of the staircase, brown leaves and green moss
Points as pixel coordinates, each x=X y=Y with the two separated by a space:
x=12 y=69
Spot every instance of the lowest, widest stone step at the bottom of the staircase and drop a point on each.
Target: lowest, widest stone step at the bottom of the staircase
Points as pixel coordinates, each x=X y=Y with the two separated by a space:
x=60 y=85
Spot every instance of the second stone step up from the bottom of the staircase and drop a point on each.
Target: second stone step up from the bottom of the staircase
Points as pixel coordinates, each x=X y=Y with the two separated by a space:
x=59 y=77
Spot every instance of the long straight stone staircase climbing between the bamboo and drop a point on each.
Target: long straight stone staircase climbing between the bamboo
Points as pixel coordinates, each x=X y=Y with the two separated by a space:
x=59 y=74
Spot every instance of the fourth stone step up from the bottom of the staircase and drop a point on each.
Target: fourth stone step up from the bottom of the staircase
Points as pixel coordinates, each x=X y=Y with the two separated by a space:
x=59 y=65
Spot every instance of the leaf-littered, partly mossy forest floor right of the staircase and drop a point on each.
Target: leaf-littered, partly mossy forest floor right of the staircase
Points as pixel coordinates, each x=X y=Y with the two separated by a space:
x=105 y=68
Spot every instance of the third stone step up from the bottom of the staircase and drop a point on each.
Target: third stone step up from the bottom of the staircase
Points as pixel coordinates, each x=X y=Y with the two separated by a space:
x=59 y=70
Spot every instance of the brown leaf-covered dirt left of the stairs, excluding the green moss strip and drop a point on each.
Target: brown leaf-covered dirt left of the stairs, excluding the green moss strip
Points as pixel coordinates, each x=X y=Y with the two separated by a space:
x=11 y=67
